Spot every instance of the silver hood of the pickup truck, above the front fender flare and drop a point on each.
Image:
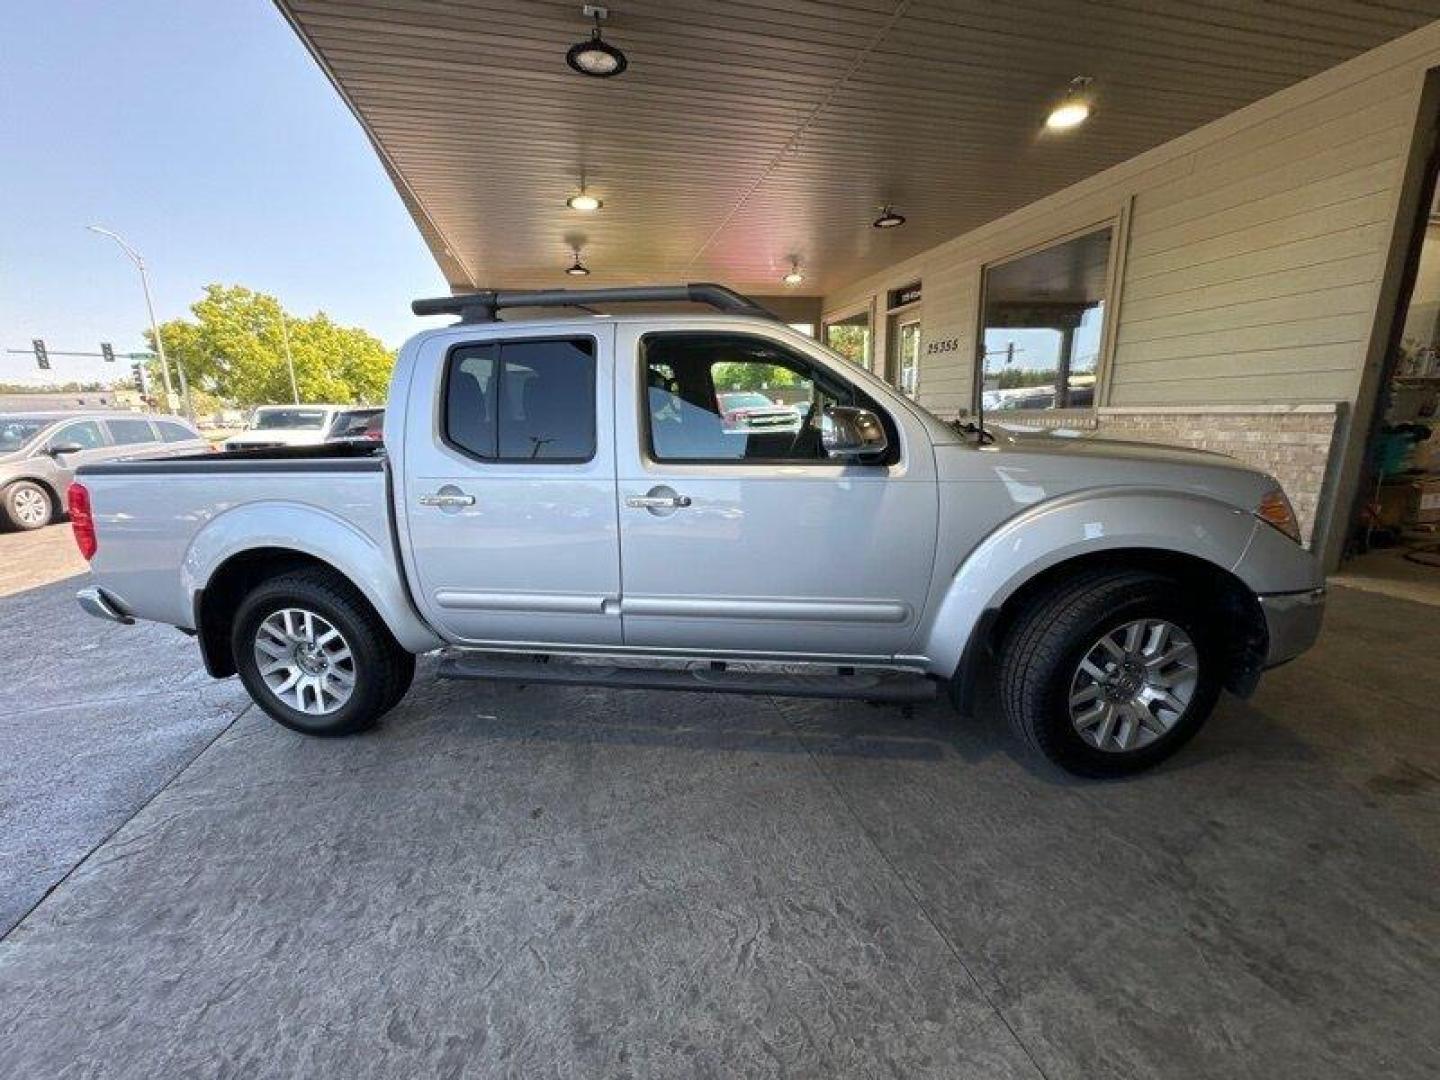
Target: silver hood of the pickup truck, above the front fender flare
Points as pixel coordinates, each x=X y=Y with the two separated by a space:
x=1058 y=464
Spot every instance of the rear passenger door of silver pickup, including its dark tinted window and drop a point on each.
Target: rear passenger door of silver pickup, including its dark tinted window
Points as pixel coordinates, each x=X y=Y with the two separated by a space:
x=508 y=487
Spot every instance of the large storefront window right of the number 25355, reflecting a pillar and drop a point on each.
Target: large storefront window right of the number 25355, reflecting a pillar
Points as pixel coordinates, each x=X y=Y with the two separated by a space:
x=1045 y=322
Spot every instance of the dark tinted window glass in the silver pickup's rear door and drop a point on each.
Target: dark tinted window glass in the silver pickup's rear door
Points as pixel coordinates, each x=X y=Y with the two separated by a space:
x=523 y=401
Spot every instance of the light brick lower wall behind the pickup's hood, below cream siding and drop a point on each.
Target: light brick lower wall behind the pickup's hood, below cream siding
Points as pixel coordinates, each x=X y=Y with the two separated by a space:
x=1292 y=443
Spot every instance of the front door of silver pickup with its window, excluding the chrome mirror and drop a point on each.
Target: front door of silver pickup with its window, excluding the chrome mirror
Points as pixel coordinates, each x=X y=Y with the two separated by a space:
x=738 y=534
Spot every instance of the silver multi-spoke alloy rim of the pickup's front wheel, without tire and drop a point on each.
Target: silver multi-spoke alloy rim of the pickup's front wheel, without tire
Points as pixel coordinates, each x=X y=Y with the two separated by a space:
x=1134 y=685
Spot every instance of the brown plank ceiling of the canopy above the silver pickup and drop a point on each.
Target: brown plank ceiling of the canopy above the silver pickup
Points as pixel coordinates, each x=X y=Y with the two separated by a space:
x=747 y=135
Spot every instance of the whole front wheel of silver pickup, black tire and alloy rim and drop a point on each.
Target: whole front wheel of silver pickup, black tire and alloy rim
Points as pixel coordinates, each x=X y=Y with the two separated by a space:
x=1111 y=673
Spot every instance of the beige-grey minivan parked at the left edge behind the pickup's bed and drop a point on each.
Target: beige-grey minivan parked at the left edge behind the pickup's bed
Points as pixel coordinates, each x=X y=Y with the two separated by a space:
x=41 y=451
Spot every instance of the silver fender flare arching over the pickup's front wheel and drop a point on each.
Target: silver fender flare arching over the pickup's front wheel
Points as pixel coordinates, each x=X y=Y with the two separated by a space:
x=1078 y=525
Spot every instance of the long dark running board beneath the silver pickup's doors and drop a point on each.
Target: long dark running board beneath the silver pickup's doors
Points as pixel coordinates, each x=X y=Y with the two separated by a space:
x=892 y=688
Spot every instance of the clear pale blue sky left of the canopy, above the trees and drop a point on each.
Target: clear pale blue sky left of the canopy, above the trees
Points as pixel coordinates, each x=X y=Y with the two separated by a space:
x=207 y=136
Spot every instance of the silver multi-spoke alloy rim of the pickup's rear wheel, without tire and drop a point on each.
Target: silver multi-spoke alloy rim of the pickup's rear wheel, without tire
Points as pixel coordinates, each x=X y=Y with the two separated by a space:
x=306 y=662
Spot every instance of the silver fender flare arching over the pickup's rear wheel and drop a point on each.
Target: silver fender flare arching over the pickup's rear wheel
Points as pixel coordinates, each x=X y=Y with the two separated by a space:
x=368 y=561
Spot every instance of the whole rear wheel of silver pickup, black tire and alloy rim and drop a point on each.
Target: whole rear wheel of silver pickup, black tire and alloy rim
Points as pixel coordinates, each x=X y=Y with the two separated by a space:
x=316 y=657
